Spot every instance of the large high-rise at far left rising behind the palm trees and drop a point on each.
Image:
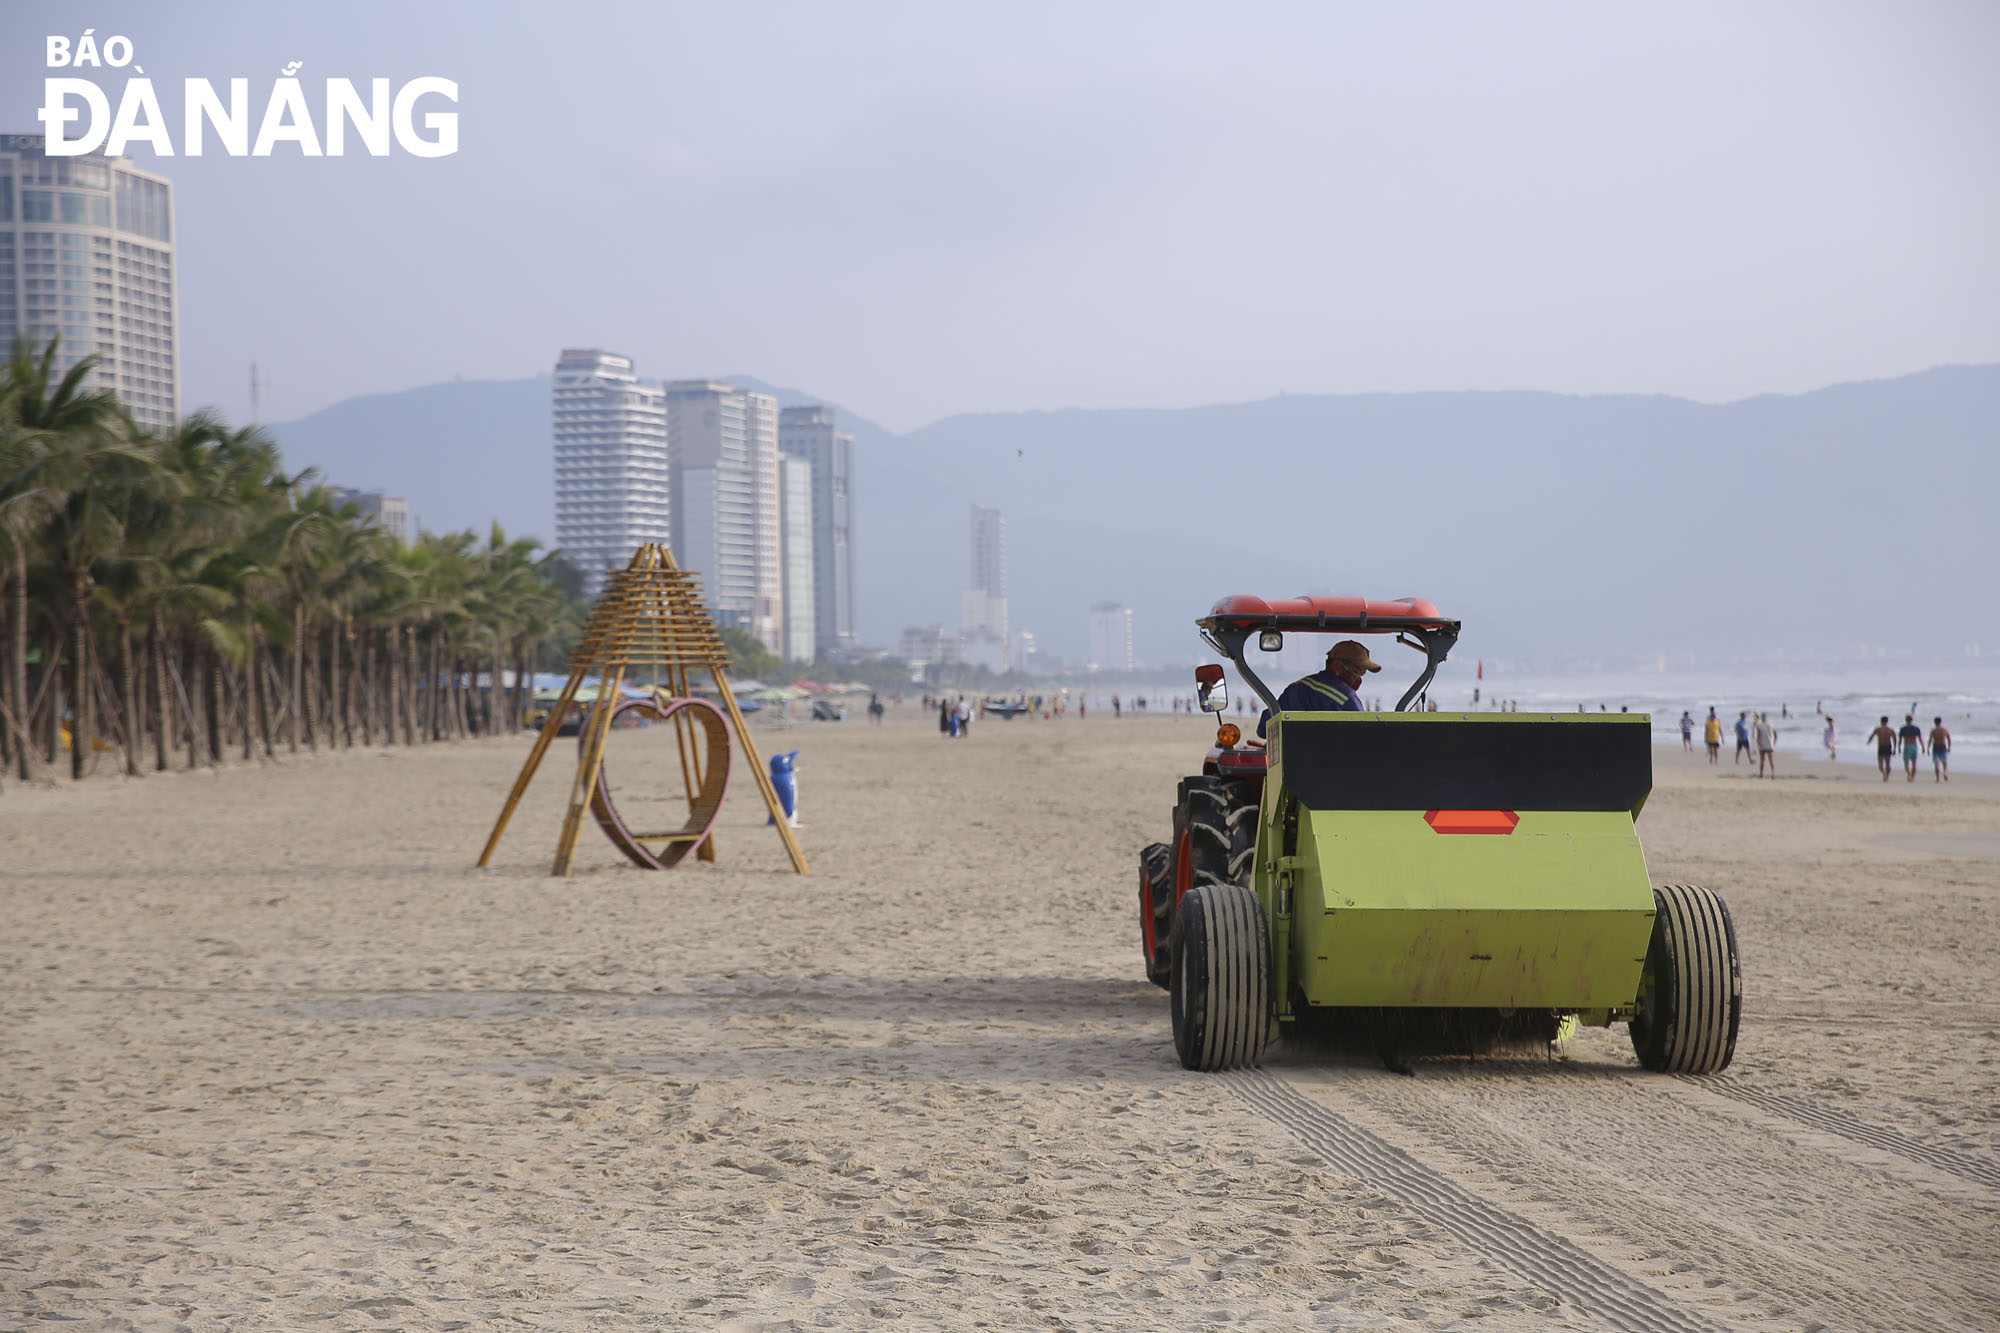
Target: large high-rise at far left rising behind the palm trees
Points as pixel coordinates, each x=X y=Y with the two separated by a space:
x=87 y=253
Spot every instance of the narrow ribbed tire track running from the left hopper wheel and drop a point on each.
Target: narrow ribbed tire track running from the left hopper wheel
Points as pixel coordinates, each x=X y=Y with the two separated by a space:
x=1551 y=1262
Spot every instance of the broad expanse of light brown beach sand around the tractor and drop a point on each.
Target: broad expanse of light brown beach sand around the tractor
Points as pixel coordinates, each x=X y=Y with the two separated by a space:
x=277 y=1056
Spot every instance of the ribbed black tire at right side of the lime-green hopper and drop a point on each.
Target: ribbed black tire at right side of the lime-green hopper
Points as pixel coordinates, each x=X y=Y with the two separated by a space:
x=1693 y=996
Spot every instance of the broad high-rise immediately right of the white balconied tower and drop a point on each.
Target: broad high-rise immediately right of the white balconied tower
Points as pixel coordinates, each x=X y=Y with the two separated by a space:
x=725 y=453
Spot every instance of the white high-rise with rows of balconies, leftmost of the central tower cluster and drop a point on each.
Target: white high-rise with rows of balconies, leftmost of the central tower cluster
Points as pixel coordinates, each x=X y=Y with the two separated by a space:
x=613 y=487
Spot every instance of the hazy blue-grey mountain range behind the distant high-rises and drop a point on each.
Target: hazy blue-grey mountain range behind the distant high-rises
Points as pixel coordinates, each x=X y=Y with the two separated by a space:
x=1557 y=527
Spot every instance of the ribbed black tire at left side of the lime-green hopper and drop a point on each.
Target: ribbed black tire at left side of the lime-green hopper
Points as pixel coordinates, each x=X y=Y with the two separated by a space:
x=1221 y=986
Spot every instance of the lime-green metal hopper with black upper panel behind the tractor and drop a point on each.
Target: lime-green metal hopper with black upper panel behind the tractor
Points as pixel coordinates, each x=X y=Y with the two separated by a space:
x=1381 y=908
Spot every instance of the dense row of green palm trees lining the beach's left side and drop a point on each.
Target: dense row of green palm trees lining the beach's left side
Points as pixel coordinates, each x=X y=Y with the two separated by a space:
x=213 y=581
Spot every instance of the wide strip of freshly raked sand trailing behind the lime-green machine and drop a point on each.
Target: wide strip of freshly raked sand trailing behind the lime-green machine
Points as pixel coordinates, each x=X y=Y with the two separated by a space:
x=1713 y=1192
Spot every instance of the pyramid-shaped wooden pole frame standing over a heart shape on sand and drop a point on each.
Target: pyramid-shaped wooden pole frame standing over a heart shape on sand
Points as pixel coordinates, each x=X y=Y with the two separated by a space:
x=649 y=615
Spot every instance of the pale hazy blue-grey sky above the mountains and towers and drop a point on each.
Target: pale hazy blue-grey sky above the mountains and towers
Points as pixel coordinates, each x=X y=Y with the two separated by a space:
x=929 y=209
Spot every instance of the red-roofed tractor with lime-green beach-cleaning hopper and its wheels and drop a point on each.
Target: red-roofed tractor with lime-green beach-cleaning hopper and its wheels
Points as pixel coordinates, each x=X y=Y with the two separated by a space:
x=1377 y=866
